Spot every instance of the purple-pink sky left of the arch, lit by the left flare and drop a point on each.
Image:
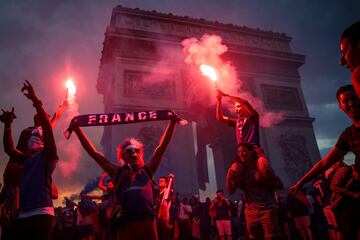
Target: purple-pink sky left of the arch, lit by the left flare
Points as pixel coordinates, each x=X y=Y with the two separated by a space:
x=38 y=40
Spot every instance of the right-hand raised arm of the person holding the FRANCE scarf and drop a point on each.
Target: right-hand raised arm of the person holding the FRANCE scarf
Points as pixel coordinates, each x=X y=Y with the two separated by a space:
x=160 y=149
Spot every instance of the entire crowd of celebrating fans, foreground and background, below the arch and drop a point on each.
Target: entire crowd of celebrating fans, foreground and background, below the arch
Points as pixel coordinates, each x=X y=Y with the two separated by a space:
x=135 y=207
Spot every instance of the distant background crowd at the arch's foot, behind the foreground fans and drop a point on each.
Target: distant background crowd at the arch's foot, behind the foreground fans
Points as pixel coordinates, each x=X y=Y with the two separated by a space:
x=300 y=217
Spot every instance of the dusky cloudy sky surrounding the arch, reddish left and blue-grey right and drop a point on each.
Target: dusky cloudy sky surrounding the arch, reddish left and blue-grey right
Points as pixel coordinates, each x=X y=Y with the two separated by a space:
x=45 y=41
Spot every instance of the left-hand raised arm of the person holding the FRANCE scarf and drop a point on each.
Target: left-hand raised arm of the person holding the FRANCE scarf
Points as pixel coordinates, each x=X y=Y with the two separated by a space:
x=104 y=163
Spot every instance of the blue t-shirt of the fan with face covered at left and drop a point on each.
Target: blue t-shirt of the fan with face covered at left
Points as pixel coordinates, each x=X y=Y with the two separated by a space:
x=36 y=181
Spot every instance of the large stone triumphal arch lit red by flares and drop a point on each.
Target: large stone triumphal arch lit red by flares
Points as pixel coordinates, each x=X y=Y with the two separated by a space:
x=137 y=42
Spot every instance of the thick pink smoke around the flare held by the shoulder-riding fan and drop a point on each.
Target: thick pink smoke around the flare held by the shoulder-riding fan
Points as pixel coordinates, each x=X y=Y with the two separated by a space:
x=207 y=51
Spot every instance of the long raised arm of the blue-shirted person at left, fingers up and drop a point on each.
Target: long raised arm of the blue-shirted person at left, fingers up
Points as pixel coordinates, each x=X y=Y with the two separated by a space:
x=49 y=140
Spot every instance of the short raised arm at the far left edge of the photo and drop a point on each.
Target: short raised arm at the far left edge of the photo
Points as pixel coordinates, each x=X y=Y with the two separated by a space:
x=7 y=118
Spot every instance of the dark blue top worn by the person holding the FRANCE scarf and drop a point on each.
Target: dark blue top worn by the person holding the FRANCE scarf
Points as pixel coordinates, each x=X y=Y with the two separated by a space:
x=137 y=195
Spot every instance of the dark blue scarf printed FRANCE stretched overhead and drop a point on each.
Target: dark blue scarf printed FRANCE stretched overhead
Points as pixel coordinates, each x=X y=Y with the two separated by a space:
x=106 y=119
